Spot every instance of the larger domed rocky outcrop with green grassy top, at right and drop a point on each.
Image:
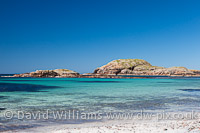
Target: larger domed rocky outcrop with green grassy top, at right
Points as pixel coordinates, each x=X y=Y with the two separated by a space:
x=142 y=67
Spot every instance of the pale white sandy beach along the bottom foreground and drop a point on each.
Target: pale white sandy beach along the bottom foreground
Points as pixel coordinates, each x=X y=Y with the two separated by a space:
x=122 y=126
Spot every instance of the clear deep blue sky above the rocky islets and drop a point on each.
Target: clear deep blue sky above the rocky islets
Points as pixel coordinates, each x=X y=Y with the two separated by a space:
x=82 y=35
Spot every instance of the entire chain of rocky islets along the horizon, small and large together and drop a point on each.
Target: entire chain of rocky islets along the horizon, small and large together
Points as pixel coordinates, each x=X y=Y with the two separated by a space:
x=118 y=69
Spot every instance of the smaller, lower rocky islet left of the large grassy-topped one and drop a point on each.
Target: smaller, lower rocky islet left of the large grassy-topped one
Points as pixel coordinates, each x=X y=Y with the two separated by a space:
x=49 y=73
